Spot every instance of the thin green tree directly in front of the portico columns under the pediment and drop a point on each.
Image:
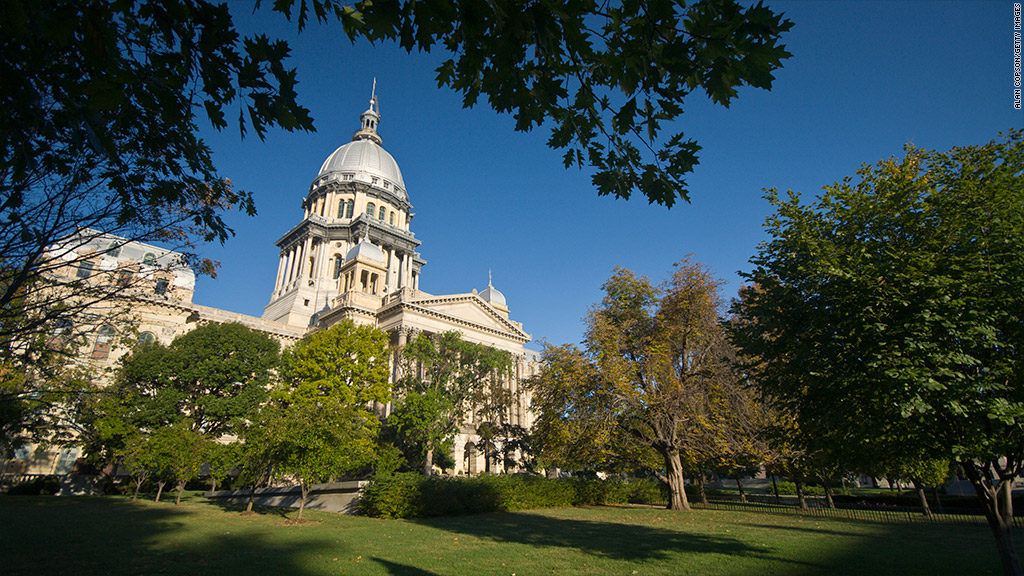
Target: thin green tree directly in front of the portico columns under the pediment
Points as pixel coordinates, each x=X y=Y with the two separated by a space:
x=446 y=378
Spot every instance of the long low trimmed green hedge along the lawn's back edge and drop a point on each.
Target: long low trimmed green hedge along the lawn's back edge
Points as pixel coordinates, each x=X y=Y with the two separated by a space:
x=412 y=496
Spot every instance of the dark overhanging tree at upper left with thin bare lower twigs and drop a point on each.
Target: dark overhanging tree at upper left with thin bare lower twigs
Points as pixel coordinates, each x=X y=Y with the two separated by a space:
x=101 y=135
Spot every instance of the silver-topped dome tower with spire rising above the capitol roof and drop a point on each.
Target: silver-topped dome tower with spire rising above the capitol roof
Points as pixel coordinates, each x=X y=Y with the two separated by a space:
x=358 y=198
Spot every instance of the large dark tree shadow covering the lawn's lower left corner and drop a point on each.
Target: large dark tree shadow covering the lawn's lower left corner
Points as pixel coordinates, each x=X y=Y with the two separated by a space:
x=76 y=537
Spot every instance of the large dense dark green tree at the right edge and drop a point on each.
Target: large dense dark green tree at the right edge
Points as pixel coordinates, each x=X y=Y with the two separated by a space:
x=890 y=308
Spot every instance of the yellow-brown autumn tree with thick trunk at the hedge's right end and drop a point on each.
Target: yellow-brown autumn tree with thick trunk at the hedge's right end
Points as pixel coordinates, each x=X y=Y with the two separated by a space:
x=655 y=384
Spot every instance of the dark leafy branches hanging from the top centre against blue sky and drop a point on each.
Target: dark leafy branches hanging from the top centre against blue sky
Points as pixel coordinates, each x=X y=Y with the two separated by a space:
x=608 y=77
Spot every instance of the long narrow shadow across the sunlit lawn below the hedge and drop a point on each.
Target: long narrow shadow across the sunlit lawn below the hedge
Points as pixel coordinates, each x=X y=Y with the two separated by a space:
x=626 y=542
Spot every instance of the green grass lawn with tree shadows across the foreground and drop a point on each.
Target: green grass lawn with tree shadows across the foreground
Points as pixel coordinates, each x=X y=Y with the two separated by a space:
x=112 y=536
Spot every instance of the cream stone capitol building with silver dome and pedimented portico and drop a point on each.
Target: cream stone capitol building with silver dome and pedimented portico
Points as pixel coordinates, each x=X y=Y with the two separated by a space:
x=353 y=255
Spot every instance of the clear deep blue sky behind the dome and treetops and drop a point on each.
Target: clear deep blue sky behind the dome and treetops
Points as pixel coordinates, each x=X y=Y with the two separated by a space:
x=865 y=79
